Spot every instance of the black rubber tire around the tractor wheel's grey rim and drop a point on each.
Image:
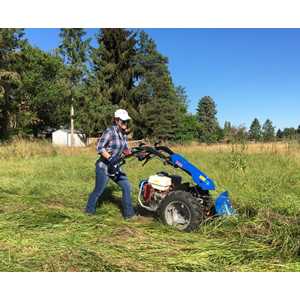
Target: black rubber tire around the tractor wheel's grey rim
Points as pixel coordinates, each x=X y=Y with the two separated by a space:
x=196 y=209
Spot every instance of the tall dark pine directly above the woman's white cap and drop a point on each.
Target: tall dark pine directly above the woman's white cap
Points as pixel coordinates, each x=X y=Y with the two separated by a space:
x=113 y=64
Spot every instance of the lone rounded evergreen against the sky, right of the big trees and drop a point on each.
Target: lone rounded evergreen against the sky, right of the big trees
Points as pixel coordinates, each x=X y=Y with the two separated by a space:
x=209 y=126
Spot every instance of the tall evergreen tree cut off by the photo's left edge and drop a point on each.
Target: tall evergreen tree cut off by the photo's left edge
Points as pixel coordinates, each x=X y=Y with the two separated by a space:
x=11 y=43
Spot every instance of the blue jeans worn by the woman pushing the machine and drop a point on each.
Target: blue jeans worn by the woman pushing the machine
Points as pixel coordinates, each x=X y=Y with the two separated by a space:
x=101 y=182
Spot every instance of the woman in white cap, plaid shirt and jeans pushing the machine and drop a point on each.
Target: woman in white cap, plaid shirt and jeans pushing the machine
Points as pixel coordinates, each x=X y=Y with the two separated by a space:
x=111 y=145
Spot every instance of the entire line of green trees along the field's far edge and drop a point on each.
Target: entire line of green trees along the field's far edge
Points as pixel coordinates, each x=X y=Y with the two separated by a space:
x=124 y=69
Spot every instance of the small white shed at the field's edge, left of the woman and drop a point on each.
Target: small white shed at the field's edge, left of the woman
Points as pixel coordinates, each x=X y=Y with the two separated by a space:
x=63 y=137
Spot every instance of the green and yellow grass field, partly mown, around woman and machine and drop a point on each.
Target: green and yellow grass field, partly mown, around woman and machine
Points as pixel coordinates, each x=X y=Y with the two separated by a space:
x=43 y=191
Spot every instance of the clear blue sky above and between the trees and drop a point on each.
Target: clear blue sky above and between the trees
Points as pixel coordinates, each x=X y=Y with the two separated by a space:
x=248 y=72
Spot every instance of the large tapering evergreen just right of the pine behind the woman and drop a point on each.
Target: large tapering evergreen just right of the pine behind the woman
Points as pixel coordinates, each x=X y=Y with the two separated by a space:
x=158 y=108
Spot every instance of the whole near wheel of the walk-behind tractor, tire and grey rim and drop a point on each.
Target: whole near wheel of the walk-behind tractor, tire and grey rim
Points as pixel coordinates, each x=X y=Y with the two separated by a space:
x=182 y=211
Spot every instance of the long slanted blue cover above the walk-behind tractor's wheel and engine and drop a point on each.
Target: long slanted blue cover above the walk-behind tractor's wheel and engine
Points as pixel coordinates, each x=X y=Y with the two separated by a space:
x=198 y=176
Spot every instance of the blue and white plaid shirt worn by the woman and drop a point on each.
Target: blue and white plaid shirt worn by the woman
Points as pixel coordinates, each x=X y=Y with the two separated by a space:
x=113 y=141
